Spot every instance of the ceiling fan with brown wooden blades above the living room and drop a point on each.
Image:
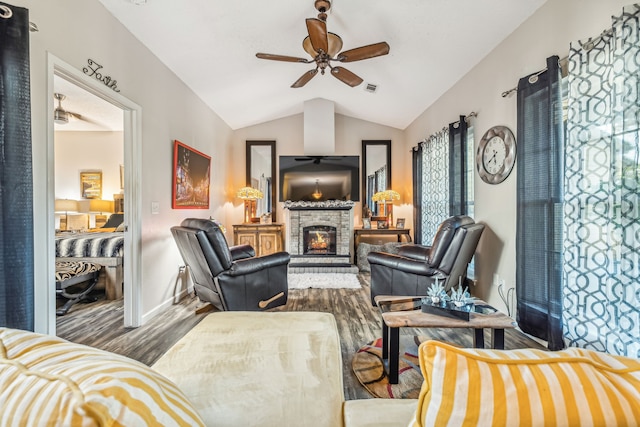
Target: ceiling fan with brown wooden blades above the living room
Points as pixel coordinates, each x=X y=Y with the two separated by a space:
x=324 y=46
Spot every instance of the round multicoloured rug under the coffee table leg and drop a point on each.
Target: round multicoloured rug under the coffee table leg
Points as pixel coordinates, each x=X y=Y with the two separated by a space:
x=369 y=369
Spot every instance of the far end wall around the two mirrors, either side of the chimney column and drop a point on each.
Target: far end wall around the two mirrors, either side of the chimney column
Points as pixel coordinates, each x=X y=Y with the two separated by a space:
x=349 y=133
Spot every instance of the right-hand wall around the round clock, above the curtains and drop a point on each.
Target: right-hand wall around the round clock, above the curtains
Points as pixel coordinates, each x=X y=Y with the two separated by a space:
x=548 y=32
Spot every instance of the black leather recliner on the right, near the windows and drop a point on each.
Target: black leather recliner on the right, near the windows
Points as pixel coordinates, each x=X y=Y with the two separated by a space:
x=416 y=267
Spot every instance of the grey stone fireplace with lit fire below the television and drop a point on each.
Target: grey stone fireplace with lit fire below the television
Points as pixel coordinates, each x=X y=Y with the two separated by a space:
x=319 y=236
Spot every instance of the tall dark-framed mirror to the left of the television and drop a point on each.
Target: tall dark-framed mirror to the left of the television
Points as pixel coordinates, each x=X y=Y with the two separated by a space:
x=261 y=174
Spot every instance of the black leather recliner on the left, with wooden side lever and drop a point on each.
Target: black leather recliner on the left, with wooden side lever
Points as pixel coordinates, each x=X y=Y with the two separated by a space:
x=230 y=278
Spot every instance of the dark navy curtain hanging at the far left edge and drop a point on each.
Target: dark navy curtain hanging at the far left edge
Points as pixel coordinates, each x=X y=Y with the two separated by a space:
x=16 y=182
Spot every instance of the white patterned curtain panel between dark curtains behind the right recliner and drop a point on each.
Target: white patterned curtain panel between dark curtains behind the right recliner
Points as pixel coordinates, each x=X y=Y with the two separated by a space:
x=435 y=183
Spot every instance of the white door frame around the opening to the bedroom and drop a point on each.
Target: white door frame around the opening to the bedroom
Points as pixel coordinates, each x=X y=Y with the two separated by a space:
x=132 y=135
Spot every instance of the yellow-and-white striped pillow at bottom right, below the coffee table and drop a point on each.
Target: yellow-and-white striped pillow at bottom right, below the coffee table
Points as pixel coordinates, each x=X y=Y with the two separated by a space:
x=475 y=387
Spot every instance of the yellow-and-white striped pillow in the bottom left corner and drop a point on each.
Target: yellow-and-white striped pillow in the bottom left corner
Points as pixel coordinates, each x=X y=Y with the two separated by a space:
x=47 y=381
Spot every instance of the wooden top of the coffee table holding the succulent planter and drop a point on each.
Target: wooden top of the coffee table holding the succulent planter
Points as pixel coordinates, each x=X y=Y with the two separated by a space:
x=407 y=313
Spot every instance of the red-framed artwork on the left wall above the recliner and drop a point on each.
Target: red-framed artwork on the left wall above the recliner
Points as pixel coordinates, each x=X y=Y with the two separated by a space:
x=191 y=177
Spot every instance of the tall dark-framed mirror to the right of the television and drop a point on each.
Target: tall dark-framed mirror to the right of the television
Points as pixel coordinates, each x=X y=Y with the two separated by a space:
x=376 y=172
